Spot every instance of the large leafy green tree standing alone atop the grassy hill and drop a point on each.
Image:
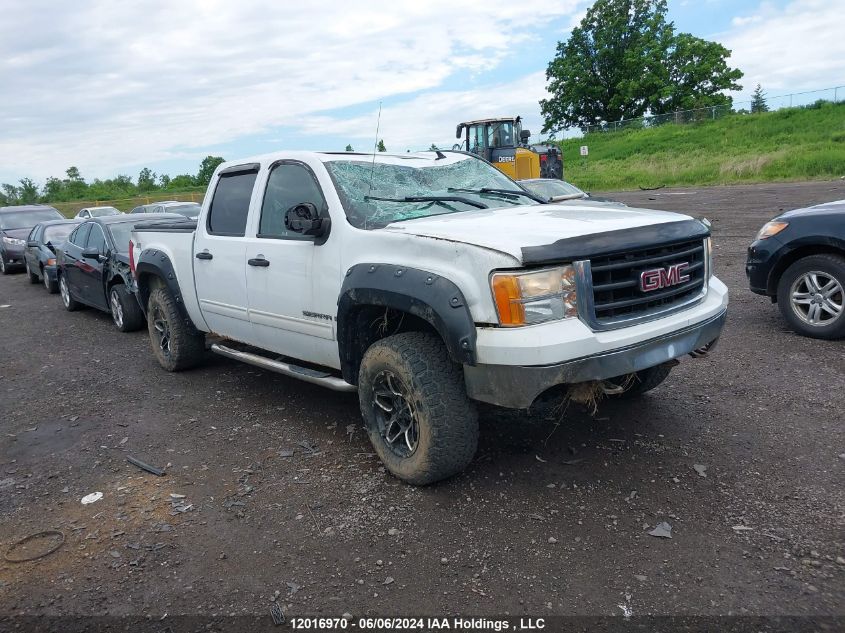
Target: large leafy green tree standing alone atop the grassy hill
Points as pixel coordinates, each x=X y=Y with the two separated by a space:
x=625 y=60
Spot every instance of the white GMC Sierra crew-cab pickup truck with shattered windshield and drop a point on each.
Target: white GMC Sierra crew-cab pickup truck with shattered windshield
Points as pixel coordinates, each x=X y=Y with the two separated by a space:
x=426 y=282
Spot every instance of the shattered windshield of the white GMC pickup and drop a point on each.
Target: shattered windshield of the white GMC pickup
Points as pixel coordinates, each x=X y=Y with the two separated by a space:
x=360 y=182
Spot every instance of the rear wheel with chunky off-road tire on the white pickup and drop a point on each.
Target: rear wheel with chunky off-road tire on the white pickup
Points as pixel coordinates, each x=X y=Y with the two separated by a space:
x=185 y=347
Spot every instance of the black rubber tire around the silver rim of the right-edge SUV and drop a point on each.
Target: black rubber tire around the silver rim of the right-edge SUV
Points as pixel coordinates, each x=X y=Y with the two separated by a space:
x=832 y=265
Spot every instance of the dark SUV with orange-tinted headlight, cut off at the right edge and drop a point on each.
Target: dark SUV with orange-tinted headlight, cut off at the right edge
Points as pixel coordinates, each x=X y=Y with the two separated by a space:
x=798 y=259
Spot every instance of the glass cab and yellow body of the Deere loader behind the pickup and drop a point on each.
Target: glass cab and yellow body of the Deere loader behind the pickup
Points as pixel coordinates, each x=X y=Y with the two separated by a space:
x=501 y=142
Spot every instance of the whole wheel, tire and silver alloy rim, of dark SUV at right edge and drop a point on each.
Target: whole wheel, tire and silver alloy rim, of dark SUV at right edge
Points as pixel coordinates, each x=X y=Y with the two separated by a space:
x=811 y=296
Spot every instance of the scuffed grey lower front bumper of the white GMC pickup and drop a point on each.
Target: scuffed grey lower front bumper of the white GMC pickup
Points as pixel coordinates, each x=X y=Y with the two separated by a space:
x=517 y=386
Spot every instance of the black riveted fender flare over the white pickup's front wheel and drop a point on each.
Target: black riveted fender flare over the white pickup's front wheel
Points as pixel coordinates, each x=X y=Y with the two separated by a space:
x=426 y=295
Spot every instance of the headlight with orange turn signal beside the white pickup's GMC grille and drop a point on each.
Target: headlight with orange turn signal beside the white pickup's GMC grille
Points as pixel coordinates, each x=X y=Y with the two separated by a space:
x=535 y=297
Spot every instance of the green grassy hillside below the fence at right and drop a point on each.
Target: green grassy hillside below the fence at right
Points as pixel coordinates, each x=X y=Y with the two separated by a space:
x=805 y=143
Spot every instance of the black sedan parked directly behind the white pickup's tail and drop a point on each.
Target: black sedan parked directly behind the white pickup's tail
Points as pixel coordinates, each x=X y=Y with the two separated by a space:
x=93 y=270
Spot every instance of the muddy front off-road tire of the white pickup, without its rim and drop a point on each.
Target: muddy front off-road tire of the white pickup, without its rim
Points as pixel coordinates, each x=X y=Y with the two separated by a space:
x=447 y=419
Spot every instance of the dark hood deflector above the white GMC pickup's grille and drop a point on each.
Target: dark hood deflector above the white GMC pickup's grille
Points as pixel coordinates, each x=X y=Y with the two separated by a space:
x=613 y=242
